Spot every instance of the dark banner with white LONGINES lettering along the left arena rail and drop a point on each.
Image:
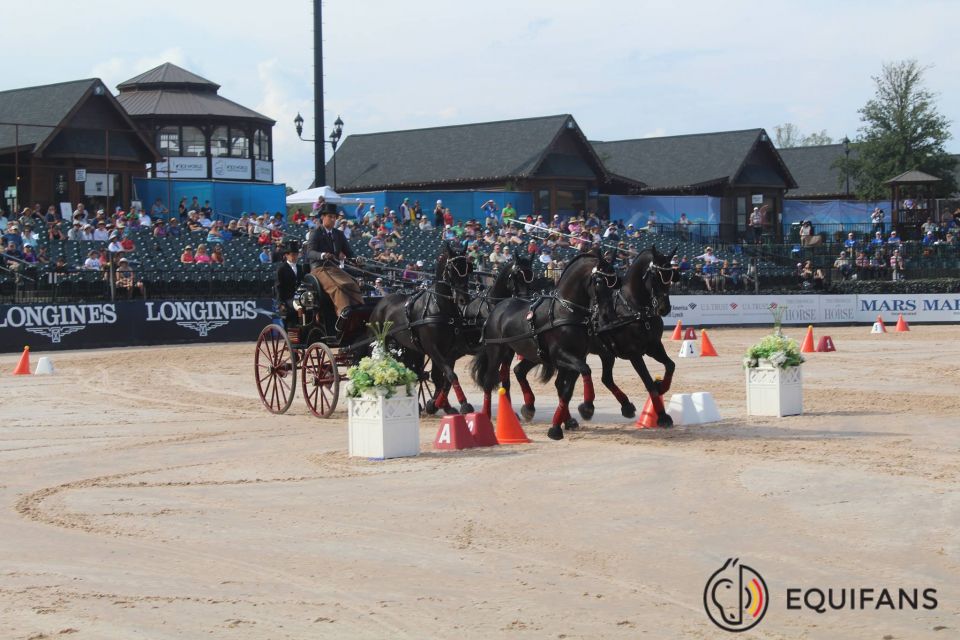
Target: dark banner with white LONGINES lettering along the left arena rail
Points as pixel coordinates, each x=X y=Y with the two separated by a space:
x=123 y=324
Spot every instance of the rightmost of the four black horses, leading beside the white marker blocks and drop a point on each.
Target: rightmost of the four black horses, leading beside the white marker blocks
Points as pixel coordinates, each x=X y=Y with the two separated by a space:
x=630 y=326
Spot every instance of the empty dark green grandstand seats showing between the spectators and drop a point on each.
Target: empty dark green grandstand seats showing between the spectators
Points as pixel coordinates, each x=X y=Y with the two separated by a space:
x=156 y=261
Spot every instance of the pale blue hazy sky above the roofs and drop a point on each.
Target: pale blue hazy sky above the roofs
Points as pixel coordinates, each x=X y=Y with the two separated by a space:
x=623 y=68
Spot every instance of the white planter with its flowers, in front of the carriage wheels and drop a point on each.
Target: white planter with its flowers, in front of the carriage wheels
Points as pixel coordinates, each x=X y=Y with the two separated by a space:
x=382 y=423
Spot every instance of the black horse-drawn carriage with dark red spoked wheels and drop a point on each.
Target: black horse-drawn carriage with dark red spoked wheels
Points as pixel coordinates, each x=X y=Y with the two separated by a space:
x=305 y=343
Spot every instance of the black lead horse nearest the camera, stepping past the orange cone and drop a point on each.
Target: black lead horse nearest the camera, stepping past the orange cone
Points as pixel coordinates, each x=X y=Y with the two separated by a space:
x=550 y=331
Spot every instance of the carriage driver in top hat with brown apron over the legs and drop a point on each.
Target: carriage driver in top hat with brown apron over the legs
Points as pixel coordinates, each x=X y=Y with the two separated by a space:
x=326 y=247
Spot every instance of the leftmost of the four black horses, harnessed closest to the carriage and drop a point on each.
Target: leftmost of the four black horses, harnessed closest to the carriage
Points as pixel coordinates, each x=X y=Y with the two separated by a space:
x=429 y=322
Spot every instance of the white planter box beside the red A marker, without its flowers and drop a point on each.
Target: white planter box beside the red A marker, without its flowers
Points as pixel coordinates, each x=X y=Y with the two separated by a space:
x=382 y=427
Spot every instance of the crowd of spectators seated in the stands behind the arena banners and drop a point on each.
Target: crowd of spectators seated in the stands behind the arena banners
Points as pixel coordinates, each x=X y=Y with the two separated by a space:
x=492 y=238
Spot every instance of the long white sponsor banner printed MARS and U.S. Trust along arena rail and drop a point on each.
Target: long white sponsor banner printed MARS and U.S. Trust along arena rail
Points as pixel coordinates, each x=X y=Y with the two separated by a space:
x=811 y=309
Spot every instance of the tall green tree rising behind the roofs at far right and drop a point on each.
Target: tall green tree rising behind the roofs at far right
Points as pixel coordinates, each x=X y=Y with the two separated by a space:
x=901 y=130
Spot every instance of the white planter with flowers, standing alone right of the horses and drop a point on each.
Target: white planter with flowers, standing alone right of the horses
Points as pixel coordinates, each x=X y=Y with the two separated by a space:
x=774 y=379
